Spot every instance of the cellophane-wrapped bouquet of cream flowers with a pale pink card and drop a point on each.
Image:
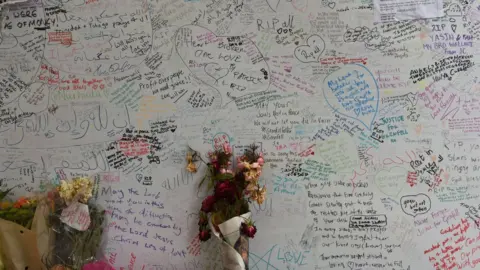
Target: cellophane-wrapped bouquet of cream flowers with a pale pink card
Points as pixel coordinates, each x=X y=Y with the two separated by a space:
x=78 y=226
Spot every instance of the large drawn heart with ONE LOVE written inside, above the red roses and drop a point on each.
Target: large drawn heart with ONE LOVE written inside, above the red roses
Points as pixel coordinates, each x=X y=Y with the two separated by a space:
x=227 y=64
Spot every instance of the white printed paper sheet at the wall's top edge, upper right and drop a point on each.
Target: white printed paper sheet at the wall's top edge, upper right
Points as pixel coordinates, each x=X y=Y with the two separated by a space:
x=400 y=10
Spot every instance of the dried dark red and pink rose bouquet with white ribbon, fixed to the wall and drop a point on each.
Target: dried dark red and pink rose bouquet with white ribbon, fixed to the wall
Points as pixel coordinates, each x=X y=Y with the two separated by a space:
x=226 y=212
